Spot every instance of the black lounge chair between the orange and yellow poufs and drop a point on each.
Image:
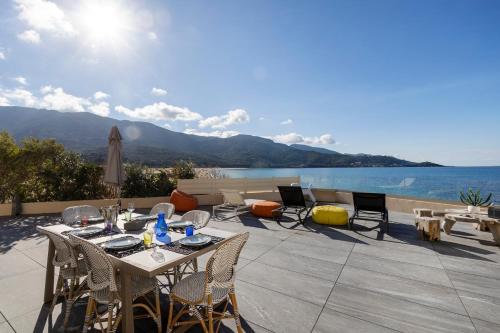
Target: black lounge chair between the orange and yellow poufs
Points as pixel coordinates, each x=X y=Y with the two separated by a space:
x=293 y=202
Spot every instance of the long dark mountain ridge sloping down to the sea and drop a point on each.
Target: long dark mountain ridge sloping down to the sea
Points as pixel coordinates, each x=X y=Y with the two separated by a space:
x=156 y=146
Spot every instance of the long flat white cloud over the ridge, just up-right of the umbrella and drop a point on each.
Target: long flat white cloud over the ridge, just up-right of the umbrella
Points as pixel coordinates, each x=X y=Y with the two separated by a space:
x=160 y=111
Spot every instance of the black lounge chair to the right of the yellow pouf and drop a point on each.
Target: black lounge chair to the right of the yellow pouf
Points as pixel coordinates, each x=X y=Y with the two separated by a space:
x=370 y=205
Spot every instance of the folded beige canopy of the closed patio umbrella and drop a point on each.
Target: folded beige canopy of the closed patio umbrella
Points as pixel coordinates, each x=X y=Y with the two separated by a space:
x=113 y=175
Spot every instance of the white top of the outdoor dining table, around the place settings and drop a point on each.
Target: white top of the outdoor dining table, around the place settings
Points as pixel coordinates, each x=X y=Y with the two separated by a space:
x=143 y=260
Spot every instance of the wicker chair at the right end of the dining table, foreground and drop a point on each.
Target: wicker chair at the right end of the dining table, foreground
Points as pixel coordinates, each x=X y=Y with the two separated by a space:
x=199 y=292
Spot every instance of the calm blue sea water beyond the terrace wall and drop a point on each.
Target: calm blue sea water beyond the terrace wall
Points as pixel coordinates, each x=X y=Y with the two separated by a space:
x=437 y=183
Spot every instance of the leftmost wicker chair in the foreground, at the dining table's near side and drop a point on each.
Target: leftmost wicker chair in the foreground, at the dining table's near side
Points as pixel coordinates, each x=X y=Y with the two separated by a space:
x=71 y=271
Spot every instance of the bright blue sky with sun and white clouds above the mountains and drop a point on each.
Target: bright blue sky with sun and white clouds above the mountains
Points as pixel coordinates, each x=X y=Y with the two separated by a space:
x=418 y=80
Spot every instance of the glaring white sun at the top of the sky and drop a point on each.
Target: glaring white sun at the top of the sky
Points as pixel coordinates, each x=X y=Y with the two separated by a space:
x=104 y=23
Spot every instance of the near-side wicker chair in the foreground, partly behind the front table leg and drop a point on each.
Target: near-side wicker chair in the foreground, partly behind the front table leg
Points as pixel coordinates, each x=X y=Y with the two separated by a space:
x=103 y=282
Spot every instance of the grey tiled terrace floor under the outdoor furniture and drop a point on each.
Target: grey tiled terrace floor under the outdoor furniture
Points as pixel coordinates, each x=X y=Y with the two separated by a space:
x=309 y=279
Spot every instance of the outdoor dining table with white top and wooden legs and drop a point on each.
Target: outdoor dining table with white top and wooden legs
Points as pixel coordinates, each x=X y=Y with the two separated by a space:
x=140 y=263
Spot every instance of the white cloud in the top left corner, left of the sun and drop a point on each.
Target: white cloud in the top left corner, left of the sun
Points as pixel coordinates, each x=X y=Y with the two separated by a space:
x=42 y=15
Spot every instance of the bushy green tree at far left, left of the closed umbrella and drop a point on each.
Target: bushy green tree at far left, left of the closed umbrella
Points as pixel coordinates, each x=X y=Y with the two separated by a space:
x=41 y=170
